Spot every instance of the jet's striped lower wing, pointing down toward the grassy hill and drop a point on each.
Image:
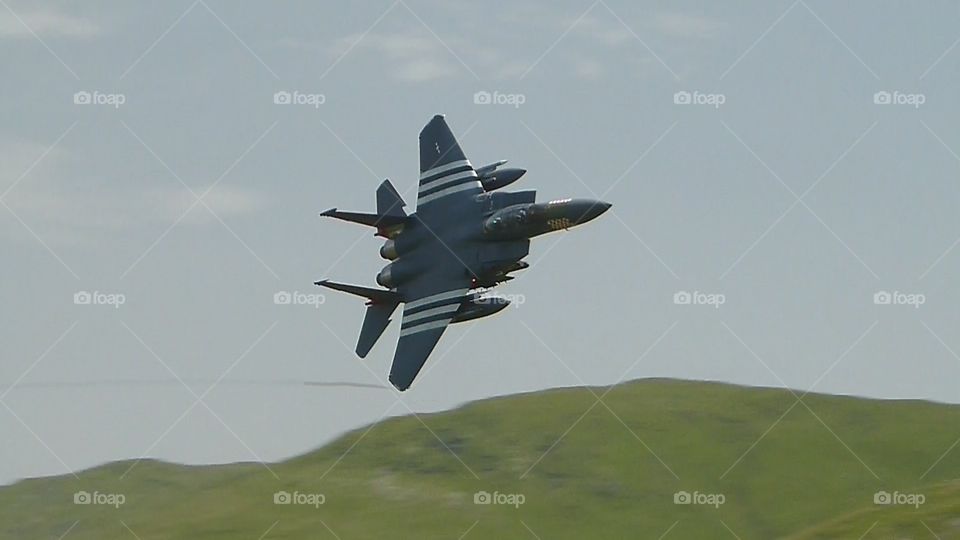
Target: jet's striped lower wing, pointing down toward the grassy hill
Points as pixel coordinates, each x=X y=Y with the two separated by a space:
x=435 y=298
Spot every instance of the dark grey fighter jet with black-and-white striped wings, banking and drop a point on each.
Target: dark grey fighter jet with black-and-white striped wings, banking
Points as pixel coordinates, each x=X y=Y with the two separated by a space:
x=464 y=238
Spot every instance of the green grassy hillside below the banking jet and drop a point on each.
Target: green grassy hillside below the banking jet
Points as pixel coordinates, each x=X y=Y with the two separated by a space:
x=803 y=479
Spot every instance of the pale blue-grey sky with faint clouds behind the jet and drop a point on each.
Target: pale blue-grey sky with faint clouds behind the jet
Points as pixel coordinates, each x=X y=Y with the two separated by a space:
x=783 y=177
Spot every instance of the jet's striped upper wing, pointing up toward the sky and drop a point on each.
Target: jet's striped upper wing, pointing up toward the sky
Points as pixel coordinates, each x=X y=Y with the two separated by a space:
x=444 y=170
